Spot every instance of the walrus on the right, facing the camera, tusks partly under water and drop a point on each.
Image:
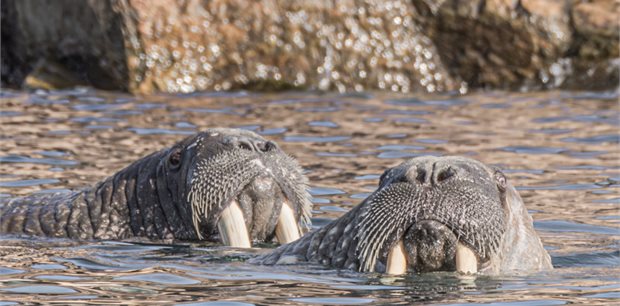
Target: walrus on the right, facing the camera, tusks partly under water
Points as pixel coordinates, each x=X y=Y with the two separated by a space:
x=428 y=214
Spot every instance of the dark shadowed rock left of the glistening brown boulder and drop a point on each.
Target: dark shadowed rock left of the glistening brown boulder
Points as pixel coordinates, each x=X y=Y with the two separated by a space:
x=83 y=37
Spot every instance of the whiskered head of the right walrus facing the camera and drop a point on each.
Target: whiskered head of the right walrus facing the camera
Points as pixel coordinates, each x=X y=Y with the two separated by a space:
x=434 y=214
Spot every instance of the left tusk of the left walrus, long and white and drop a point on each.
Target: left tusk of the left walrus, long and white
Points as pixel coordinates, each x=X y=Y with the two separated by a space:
x=231 y=227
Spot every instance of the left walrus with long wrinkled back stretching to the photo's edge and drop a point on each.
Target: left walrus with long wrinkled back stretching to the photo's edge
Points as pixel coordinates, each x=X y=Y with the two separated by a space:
x=223 y=185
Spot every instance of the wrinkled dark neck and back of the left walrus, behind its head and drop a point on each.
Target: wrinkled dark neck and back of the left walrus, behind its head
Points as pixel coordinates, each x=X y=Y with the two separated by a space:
x=135 y=202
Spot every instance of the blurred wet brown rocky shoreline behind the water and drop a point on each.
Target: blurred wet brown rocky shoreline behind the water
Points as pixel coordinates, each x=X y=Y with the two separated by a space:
x=184 y=46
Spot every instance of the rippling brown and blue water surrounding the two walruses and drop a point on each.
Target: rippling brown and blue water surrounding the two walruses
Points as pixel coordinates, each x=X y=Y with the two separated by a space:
x=560 y=149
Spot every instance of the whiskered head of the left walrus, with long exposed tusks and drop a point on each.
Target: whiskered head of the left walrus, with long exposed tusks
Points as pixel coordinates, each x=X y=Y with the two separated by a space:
x=239 y=187
